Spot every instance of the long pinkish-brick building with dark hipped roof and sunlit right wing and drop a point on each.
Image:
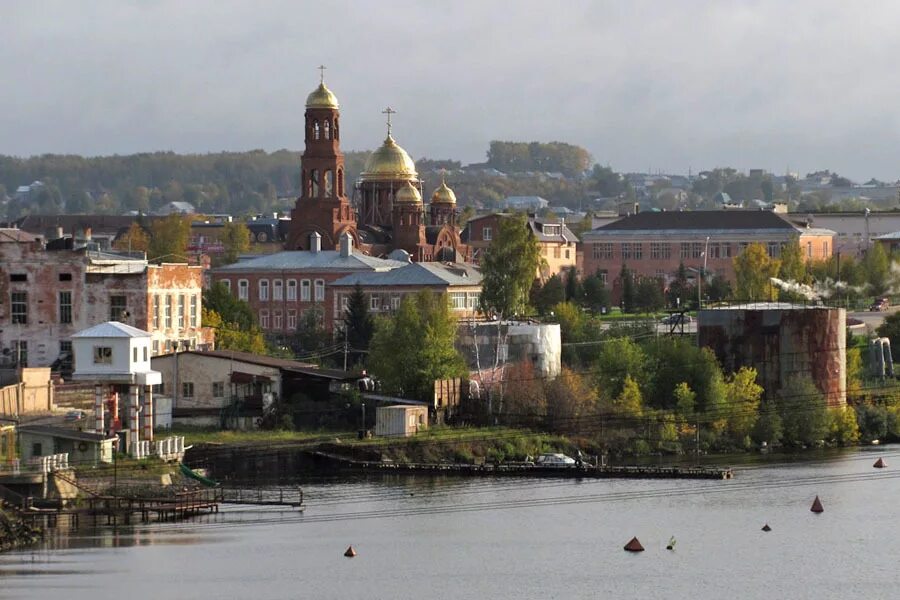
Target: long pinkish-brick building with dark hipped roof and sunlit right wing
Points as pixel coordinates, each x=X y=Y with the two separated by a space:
x=654 y=244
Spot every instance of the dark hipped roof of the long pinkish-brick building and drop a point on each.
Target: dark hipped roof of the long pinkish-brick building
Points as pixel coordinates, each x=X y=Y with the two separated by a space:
x=699 y=220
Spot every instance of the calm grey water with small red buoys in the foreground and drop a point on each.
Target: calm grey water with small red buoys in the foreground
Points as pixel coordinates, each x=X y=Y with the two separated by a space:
x=421 y=538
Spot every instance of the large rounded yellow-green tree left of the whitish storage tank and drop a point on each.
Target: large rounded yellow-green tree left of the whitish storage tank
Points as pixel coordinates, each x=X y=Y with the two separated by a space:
x=415 y=347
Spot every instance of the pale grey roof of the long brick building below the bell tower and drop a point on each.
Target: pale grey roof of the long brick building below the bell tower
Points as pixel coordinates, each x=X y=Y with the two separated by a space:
x=323 y=260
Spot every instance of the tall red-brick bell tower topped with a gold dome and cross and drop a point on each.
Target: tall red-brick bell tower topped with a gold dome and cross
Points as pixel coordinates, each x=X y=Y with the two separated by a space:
x=323 y=206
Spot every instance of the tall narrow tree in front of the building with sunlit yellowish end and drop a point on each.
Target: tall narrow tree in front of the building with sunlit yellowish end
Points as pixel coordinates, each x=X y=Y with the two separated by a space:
x=509 y=267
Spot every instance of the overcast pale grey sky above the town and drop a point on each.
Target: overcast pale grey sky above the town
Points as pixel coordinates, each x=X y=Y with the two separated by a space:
x=665 y=86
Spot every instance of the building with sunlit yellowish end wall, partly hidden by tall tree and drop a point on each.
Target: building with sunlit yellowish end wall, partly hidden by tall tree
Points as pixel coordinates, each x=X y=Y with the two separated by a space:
x=557 y=242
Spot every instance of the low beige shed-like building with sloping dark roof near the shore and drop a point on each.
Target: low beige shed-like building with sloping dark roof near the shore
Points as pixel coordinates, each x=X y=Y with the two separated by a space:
x=231 y=389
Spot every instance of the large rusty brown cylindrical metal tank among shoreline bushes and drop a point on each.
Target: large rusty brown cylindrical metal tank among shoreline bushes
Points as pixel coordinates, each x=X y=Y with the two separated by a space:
x=781 y=341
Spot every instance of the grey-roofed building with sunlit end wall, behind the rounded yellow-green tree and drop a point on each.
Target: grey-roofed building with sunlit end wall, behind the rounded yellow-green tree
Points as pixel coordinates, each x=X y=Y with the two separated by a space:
x=384 y=290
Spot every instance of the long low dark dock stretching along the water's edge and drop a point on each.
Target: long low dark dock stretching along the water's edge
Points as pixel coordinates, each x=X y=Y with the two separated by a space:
x=535 y=470
